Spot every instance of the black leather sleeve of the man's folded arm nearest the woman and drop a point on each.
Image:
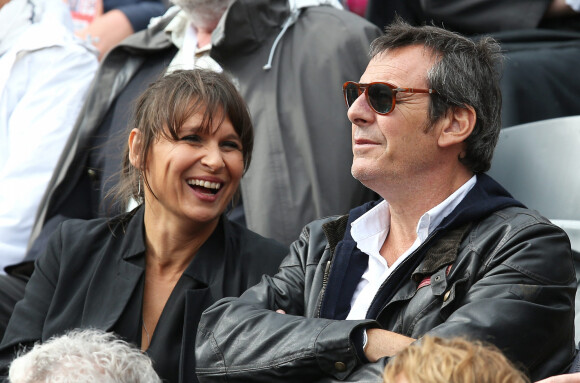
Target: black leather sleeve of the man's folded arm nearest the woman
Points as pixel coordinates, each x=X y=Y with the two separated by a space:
x=244 y=339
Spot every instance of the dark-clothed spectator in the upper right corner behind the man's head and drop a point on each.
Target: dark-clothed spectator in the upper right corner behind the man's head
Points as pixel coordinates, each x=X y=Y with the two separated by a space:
x=540 y=40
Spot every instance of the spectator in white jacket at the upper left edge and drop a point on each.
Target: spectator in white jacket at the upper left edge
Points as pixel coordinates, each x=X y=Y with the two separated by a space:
x=44 y=75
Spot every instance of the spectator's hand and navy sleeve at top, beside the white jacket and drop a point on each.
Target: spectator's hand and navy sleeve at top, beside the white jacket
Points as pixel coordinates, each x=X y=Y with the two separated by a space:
x=105 y=23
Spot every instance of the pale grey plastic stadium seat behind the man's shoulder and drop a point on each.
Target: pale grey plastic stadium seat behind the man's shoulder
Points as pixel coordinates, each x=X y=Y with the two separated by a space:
x=538 y=163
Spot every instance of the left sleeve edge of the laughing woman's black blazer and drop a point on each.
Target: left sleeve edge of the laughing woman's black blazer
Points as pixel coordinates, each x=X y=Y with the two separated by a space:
x=27 y=321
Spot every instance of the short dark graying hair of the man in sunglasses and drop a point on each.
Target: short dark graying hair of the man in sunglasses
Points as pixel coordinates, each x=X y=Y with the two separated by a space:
x=466 y=73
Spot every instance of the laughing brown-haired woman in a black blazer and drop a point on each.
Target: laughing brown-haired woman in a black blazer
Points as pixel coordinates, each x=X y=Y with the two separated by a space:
x=148 y=274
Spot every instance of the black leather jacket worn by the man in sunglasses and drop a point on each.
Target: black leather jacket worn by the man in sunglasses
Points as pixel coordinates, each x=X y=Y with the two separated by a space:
x=506 y=277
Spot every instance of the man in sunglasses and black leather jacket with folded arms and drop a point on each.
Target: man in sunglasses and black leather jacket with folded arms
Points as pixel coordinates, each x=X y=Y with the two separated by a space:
x=446 y=252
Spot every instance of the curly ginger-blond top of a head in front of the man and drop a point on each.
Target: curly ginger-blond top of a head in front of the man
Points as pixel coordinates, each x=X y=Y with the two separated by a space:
x=454 y=360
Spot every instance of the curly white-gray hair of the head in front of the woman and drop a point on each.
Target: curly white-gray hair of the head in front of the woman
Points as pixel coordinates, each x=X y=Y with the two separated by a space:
x=83 y=356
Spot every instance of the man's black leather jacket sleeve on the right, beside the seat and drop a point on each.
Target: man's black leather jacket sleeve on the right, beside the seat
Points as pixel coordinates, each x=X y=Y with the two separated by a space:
x=522 y=298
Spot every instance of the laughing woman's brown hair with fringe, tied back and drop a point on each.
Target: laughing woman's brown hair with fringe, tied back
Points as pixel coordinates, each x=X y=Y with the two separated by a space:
x=166 y=105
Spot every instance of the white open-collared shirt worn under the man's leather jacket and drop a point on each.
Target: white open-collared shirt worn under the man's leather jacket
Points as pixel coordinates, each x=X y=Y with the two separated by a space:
x=370 y=232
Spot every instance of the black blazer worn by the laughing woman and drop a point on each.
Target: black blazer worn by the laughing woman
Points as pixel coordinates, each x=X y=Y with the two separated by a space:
x=86 y=278
